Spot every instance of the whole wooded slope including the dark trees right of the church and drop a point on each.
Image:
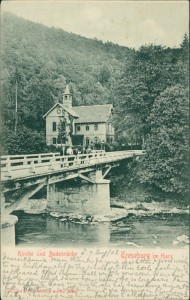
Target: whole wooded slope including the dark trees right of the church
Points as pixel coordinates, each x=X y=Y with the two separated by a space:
x=148 y=87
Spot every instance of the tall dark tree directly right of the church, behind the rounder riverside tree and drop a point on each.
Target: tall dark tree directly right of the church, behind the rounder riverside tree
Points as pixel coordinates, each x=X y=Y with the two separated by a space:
x=144 y=77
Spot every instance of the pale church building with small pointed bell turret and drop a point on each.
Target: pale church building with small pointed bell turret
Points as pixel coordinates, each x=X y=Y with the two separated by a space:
x=79 y=125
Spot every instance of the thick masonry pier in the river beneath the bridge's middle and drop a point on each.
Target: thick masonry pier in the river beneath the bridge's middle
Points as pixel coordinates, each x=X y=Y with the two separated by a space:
x=89 y=195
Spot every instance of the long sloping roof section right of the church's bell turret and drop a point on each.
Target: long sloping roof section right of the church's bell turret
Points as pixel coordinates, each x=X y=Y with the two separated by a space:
x=93 y=113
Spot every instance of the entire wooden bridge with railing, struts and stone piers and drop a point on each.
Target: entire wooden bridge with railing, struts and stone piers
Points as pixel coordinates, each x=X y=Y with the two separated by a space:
x=75 y=183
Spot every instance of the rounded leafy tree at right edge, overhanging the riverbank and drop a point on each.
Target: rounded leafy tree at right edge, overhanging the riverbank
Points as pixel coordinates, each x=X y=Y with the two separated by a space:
x=165 y=165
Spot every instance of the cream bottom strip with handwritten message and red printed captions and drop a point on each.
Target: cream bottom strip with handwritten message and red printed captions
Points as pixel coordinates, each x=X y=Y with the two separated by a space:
x=94 y=274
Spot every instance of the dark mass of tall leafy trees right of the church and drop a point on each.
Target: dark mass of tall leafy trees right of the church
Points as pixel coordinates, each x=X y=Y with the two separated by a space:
x=153 y=111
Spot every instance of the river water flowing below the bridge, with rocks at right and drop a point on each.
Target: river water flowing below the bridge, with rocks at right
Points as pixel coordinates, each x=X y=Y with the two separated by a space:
x=153 y=225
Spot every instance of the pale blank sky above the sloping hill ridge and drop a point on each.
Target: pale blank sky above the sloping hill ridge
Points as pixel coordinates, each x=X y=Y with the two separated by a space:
x=128 y=23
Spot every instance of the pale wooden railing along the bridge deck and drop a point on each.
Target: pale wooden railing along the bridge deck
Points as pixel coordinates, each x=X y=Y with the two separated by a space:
x=18 y=166
